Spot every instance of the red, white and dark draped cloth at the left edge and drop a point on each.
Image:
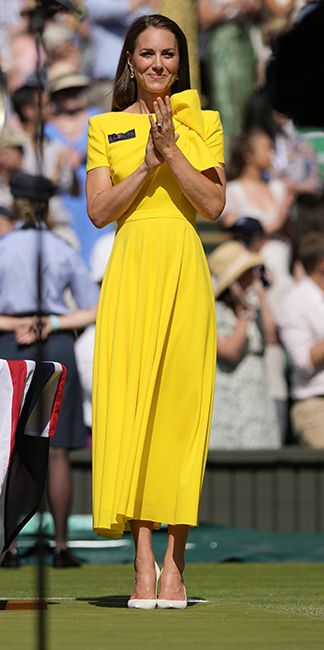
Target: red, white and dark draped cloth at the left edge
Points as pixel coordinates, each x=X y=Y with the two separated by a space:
x=31 y=395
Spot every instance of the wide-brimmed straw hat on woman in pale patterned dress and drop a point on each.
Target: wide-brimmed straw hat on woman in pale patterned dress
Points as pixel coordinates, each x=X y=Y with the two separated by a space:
x=228 y=262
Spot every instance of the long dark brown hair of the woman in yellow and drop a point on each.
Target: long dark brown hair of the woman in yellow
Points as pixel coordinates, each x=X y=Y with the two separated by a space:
x=125 y=88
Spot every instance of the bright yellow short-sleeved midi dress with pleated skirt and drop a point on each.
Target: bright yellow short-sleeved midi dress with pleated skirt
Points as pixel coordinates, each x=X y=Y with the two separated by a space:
x=155 y=348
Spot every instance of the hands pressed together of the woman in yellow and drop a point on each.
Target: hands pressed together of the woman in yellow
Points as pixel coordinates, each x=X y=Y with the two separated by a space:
x=161 y=140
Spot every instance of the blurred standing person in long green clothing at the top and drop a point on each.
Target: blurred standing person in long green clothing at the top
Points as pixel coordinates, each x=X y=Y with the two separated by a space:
x=231 y=59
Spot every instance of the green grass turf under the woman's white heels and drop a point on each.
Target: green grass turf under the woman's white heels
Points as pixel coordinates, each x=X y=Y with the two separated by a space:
x=251 y=606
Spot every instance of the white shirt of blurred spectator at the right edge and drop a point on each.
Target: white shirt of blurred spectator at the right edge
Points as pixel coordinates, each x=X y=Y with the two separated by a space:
x=301 y=324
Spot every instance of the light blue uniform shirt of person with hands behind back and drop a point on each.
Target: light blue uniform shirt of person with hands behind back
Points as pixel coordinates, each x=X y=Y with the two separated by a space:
x=62 y=267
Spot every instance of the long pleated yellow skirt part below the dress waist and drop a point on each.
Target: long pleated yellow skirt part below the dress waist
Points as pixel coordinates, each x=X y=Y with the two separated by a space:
x=154 y=373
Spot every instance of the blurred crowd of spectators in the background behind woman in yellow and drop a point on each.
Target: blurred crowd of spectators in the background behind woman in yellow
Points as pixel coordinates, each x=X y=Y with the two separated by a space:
x=268 y=269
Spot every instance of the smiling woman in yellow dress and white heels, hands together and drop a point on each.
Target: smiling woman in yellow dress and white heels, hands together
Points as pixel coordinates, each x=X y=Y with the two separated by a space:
x=153 y=162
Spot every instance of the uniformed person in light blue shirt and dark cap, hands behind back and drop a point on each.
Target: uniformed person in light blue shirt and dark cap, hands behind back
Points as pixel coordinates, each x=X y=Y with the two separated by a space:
x=20 y=328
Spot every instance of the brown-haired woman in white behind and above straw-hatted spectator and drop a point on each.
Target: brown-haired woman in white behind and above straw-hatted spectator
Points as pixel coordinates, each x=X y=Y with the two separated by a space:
x=248 y=193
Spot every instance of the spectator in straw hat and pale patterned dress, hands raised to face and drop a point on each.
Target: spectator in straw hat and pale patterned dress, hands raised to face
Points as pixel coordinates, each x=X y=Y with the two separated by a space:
x=244 y=416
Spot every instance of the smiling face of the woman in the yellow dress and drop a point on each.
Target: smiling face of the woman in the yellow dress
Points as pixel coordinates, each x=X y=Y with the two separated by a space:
x=155 y=61
